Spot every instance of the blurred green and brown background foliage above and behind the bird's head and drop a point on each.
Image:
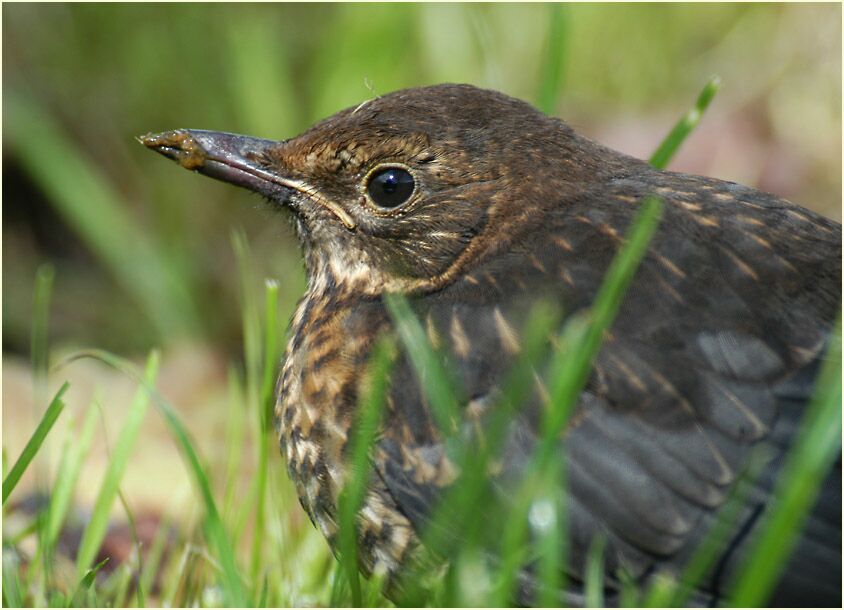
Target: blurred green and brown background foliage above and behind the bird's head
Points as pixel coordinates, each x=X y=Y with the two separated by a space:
x=142 y=251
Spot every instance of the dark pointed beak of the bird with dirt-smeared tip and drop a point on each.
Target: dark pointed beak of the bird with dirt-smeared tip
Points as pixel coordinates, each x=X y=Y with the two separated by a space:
x=225 y=156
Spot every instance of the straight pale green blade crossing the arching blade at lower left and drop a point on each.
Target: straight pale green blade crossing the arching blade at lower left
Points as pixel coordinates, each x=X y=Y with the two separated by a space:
x=96 y=529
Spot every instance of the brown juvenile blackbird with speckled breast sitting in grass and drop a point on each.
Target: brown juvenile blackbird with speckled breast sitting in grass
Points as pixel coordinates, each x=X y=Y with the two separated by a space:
x=475 y=205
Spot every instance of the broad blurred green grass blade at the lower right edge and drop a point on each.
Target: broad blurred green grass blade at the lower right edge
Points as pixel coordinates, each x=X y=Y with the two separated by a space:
x=815 y=449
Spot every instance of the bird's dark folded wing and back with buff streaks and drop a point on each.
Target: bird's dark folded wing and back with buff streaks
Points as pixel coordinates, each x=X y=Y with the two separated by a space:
x=729 y=311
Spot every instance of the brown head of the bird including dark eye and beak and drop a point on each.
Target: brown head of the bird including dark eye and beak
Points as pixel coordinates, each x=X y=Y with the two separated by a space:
x=402 y=191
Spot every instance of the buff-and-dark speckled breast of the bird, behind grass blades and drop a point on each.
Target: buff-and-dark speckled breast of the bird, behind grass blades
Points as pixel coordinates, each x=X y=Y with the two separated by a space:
x=325 y=360
